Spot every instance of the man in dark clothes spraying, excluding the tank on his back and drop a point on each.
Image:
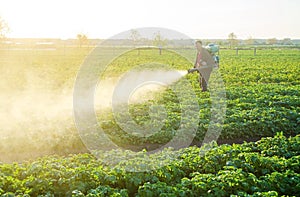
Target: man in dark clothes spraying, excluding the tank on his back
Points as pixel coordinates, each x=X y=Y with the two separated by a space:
x=204 y=64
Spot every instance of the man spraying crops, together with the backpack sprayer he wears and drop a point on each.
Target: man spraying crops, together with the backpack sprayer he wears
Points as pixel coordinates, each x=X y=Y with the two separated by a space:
x=206 y=60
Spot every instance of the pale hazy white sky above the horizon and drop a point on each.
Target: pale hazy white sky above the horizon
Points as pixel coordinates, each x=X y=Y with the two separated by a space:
x=195 y=18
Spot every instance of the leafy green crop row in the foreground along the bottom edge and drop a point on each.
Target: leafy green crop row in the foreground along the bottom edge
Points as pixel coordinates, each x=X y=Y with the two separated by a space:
x=226 y=170
